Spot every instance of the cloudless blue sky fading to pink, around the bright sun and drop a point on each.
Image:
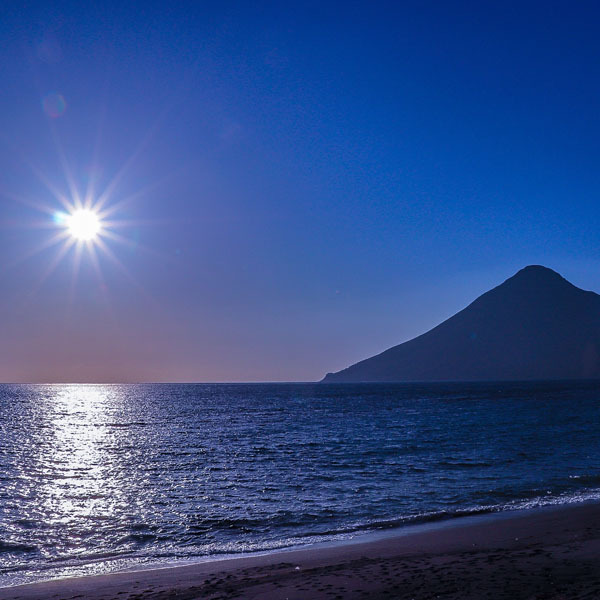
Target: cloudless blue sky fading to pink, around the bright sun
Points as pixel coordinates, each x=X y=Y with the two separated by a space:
x=293 y=187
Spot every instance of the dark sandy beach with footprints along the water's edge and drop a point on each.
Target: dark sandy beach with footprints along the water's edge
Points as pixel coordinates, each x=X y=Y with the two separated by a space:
x=551 y=553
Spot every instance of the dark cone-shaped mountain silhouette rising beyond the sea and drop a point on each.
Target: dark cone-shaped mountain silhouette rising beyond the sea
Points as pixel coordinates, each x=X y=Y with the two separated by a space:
x=535 y=325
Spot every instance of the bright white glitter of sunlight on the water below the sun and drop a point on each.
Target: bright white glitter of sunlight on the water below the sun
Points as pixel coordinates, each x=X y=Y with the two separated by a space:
x=82 y=480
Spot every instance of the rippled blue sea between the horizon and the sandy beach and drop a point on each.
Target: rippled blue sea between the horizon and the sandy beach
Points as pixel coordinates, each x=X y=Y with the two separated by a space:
x=95 y=478
